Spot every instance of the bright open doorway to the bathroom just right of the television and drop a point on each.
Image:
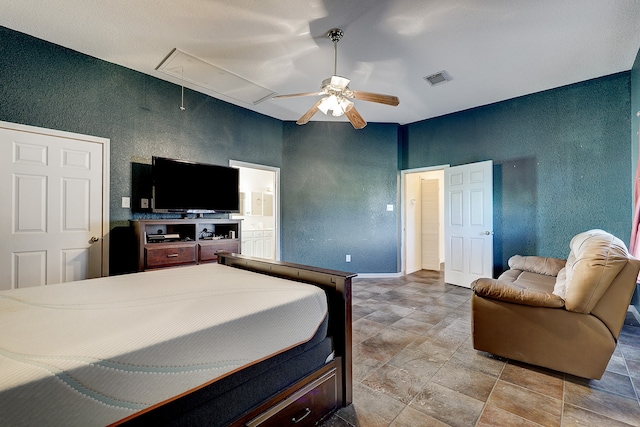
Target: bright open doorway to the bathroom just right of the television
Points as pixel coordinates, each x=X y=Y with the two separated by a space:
x=259 y=210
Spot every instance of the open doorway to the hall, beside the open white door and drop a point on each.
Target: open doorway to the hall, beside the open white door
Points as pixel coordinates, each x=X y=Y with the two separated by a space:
x=423 y=219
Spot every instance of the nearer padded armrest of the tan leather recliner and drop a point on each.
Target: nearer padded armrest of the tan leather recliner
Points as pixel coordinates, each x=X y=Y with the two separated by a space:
x=514 y=293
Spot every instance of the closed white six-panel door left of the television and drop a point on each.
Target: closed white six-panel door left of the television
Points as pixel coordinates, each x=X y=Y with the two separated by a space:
x=52 y=216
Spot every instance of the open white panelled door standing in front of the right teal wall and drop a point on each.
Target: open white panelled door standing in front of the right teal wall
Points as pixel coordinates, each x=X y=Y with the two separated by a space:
x=468 y=230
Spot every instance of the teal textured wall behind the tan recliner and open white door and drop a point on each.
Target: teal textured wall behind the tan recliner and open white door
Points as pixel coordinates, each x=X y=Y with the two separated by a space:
x=562 y=162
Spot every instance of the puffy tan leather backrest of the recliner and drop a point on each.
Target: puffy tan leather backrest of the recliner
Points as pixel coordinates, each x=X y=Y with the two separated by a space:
x=595 y=259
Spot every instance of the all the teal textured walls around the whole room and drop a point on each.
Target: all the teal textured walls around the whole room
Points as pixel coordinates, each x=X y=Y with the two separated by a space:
x=562 y=157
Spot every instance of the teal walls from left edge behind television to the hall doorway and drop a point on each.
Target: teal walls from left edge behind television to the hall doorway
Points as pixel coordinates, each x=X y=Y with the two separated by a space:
x=348 y=176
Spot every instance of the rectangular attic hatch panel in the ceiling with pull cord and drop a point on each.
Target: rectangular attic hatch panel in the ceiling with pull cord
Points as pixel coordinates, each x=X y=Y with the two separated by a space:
x=188 y=68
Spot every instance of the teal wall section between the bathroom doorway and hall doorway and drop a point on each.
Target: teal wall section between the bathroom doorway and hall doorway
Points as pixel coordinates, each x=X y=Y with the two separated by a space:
x=336 y=184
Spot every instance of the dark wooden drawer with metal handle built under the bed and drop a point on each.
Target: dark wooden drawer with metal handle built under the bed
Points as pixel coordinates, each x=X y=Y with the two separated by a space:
x=305 y=407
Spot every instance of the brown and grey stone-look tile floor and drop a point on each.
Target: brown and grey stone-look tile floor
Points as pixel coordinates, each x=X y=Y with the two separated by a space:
x=414 y=365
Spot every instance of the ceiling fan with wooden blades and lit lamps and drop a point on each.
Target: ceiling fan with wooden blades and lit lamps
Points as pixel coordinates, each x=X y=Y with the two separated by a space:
x=337 y=94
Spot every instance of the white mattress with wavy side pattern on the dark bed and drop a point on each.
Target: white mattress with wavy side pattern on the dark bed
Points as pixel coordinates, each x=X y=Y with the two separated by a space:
x=96 y=351
